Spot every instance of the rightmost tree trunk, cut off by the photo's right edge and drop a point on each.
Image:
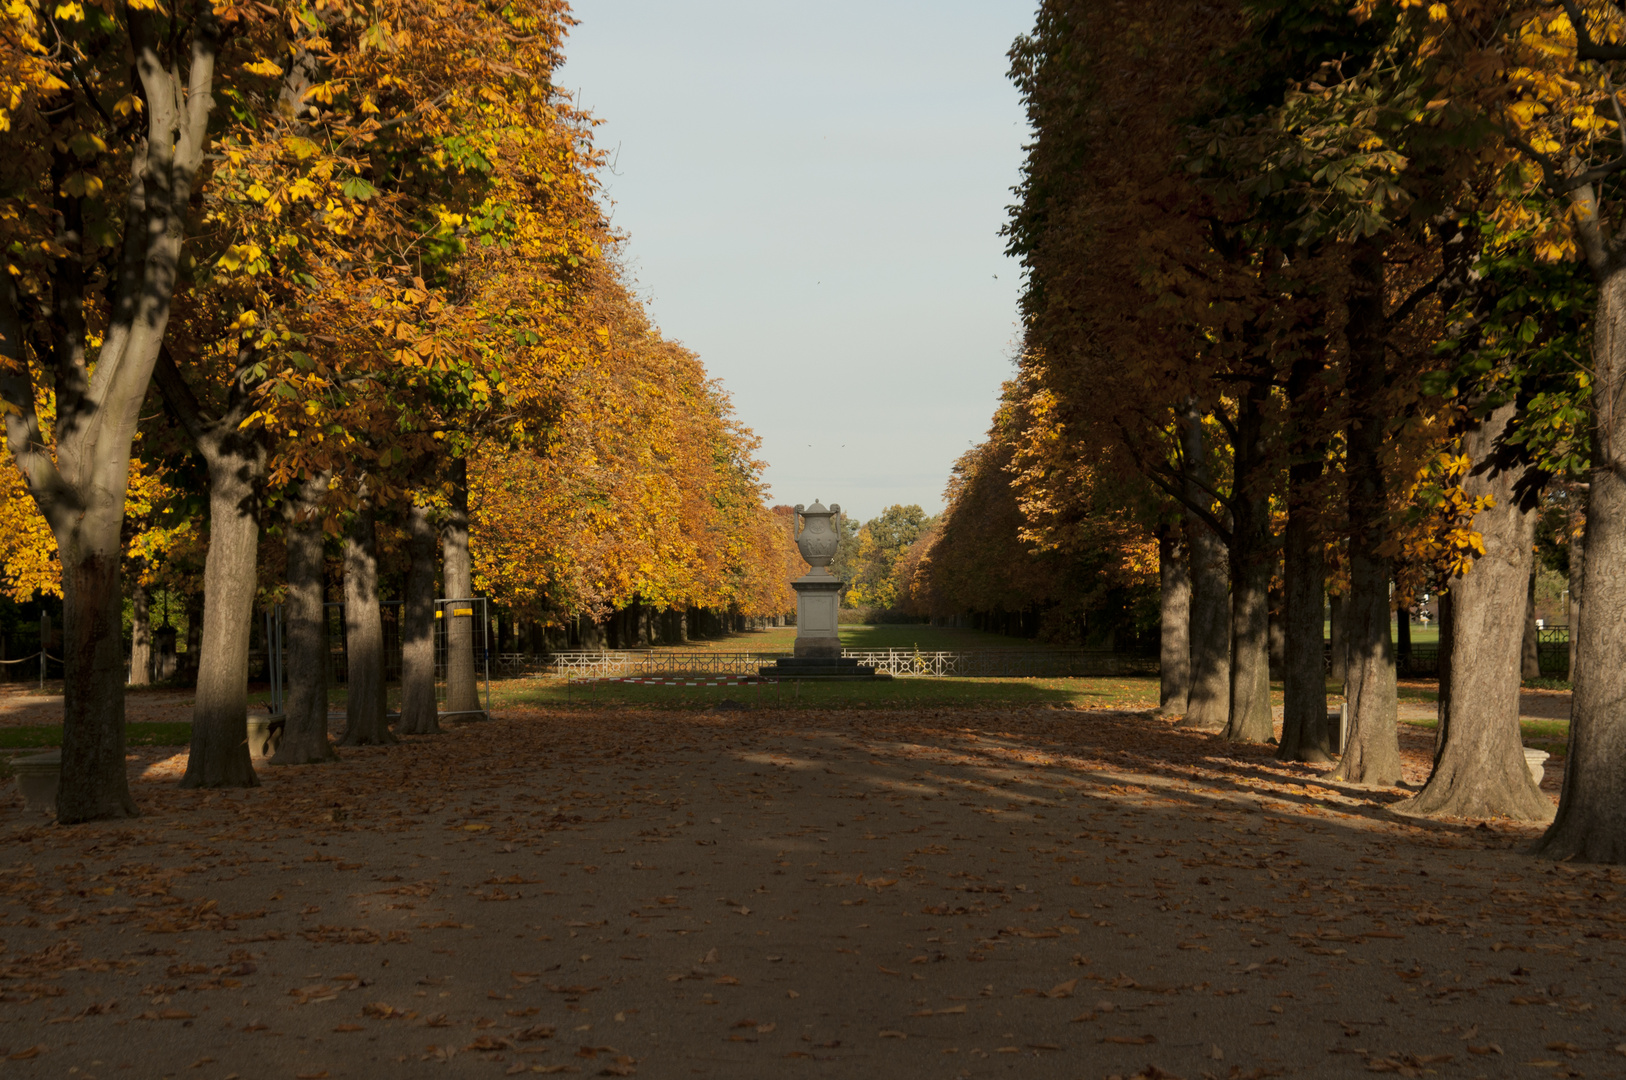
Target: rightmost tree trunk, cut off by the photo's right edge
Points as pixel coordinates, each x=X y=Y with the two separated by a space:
x=1591 y=824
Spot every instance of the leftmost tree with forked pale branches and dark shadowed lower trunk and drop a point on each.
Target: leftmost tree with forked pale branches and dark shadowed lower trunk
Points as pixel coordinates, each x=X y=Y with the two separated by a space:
x=111 y=155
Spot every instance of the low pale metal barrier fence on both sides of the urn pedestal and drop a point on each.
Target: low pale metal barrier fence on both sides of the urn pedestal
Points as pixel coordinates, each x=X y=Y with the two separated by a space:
x=965 y=664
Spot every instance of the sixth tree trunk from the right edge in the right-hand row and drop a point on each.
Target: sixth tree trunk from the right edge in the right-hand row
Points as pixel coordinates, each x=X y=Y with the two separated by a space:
x=1209 y=703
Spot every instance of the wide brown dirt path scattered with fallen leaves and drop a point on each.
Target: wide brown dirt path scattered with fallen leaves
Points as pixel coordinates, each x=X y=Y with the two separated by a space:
x=1040 y=894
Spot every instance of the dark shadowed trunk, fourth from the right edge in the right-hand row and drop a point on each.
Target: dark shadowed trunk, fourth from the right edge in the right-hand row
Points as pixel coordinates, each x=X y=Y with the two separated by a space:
x=1303 y=666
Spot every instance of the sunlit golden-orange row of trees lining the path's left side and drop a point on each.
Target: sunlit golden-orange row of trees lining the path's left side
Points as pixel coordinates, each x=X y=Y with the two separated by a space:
x=334 y=271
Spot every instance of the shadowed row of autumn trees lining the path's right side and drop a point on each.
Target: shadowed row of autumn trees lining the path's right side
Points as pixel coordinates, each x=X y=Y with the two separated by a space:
x=1324 y=295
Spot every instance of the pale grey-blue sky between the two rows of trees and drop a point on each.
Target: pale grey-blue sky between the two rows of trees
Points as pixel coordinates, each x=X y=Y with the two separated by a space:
x=814 y=196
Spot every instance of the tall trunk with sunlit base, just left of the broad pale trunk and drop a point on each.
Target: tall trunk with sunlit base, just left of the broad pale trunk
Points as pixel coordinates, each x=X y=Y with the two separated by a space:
x=1373 y=752
